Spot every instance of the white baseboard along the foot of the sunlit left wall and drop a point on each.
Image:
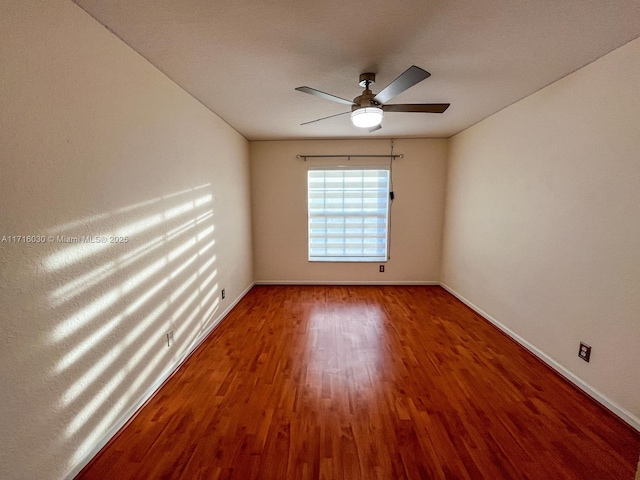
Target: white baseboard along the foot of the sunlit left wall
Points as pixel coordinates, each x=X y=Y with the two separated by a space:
x=126 y=416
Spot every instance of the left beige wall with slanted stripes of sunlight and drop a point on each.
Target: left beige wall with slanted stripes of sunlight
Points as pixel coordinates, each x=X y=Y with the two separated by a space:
x=95 y=141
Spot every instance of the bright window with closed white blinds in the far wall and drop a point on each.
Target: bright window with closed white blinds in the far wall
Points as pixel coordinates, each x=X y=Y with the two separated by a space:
x=348 y=215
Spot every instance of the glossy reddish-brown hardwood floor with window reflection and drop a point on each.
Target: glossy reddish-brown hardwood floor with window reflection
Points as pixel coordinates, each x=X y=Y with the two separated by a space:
x=365 y=383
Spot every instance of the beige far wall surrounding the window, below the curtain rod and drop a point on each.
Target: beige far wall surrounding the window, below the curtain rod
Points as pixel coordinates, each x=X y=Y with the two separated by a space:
x=279 y=206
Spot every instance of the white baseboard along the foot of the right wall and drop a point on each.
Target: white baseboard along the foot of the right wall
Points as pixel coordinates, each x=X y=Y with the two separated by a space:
x=622 y=413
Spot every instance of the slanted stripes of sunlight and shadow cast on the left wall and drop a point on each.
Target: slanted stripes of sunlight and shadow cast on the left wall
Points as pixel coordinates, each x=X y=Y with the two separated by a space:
x=110 y=305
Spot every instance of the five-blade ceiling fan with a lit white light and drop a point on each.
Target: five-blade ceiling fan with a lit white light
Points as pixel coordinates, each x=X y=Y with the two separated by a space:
x=367 y=109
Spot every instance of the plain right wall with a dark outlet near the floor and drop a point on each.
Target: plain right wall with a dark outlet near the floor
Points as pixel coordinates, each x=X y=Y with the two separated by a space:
x=542 y=226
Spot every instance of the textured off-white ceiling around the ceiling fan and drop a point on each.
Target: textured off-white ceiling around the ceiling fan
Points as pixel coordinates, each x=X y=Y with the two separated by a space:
x=243 y=58
